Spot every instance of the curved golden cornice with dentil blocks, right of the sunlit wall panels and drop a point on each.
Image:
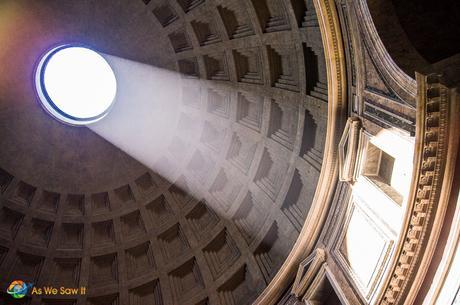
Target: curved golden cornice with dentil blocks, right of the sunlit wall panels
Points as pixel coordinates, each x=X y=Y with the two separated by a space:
x=434 y=164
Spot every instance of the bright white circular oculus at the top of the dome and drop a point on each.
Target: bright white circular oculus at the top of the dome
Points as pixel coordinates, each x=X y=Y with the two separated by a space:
x=76 y=85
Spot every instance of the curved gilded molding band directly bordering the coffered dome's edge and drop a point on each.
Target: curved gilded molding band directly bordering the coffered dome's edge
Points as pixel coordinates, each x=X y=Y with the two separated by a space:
x=336 y=75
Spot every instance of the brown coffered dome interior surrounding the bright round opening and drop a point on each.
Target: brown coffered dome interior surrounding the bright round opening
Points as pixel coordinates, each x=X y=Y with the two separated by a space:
x=246 y=153
